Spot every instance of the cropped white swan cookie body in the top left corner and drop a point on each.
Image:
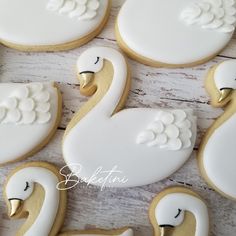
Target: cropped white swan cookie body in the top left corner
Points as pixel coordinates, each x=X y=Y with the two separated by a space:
x=51 y=25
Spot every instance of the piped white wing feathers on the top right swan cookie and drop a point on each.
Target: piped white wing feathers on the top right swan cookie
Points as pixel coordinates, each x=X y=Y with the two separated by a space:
x=218 y=15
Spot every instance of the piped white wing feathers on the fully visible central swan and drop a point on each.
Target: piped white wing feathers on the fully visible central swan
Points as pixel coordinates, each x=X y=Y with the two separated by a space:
x=171 y=130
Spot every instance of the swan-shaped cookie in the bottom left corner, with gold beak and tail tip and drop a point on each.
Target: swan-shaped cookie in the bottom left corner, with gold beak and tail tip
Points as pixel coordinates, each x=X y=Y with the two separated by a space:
x=32 y=188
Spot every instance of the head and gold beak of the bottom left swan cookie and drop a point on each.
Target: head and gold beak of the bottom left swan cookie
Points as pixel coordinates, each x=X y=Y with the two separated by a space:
x=18 y=189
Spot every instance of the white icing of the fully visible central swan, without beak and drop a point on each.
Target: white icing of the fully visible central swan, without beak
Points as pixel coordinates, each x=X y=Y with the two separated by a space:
x=104 y=140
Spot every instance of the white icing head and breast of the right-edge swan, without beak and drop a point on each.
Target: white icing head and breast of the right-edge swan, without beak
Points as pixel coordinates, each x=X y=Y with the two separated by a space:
x=219 y=154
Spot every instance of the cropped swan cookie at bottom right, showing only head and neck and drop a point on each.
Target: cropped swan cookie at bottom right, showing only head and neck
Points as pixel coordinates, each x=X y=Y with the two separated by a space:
x=179 y=211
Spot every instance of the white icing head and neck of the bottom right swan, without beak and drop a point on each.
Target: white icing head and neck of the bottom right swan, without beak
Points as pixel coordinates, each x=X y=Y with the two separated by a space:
x=170 y=211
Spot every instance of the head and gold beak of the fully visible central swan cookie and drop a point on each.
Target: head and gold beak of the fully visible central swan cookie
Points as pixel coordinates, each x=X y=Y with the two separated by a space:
x=89 y=64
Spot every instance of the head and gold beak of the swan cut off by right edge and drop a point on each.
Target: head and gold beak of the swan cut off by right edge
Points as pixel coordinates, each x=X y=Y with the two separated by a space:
x=224 y=76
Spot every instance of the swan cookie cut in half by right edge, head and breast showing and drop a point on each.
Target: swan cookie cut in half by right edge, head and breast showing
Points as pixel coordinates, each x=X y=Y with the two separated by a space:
x=216 y=155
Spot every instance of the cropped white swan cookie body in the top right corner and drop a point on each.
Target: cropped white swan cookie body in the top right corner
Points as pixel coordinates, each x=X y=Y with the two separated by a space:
x=175 y=33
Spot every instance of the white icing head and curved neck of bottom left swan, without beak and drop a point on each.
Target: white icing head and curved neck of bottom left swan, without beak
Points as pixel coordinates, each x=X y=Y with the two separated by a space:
x=16 y=189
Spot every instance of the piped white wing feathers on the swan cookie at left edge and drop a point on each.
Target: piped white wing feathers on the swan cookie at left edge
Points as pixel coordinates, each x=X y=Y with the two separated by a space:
x=29 y=104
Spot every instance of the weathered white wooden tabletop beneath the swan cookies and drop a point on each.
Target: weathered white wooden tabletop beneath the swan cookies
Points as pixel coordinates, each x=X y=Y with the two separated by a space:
x=113 y=208
